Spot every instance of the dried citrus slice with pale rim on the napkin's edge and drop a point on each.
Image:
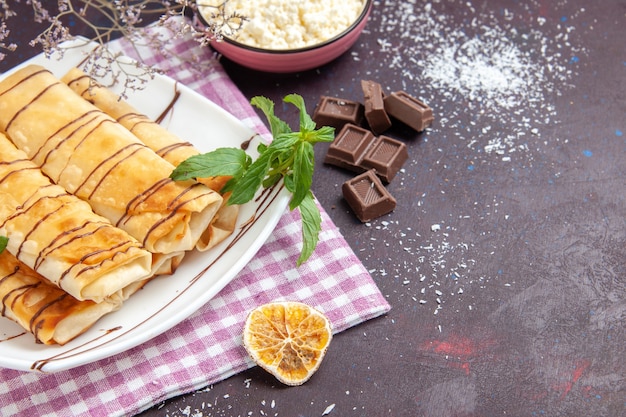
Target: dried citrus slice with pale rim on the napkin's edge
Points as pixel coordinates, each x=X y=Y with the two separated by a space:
x=288 y=339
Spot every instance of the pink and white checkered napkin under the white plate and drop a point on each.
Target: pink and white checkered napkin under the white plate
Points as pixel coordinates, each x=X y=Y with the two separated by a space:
x=206 y=347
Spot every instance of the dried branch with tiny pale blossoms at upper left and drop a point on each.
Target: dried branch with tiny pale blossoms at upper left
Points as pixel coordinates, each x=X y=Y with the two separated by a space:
x=105 y=20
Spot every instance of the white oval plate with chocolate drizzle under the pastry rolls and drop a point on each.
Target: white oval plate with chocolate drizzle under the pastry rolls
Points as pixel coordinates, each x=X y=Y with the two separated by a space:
x=166 y=300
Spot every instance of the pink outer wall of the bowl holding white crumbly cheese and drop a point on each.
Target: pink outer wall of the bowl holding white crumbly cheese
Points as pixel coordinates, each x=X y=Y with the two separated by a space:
x=294 y=60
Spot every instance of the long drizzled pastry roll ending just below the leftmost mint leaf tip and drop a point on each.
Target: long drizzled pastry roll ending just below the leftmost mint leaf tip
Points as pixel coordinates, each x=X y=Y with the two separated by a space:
x=95 y=158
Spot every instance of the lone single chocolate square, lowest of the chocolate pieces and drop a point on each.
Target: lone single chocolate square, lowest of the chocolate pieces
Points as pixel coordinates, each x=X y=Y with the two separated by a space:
x=367 y=196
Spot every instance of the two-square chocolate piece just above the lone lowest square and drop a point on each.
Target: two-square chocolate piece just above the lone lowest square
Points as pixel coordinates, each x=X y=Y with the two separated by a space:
x=358 y=150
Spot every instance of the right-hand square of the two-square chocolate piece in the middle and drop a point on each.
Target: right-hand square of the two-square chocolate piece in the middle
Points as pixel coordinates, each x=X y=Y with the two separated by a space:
x=386 y=156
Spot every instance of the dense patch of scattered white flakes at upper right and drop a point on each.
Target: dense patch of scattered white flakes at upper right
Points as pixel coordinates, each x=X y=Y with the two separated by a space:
x=482 y=67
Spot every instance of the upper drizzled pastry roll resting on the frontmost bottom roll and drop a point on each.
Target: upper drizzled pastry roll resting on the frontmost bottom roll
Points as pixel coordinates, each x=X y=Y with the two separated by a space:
x=59 y=236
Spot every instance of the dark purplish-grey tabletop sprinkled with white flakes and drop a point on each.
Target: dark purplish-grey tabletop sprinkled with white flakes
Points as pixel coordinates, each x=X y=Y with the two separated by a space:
x=504 y=261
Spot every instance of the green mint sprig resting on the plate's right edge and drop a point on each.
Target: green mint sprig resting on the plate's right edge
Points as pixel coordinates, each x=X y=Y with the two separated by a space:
x=289 y=156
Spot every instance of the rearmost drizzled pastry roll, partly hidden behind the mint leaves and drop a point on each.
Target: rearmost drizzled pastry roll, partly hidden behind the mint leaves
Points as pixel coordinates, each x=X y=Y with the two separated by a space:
x=165 y=143
